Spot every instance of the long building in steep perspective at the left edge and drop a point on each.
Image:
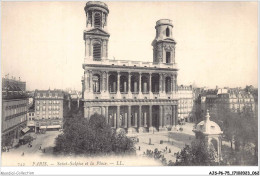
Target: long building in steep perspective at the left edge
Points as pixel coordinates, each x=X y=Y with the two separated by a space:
x=14 y=110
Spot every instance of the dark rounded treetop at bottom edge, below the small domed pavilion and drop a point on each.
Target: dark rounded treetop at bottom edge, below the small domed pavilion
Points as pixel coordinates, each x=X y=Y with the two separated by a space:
x=198 y=154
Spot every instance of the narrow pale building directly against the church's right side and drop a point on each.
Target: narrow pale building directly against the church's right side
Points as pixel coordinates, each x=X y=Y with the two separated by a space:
x=186 y=108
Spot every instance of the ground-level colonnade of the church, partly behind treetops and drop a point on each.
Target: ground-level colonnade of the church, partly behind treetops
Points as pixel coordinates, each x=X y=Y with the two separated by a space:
x=138 y=116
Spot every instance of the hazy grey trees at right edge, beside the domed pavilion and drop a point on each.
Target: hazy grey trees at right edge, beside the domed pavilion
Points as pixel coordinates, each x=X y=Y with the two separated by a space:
x=242 y=130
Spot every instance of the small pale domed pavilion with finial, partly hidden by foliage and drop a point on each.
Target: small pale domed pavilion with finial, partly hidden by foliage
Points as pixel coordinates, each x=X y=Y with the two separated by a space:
x=211 y=133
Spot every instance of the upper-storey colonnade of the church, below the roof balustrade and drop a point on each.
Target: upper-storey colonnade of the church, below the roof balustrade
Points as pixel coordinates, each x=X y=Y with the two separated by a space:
x=129 y=82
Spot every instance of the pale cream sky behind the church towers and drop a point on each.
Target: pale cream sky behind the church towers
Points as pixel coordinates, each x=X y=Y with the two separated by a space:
x=42 y=42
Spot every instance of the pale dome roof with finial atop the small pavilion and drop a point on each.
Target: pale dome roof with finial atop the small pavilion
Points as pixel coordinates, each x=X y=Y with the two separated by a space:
x=207 y=126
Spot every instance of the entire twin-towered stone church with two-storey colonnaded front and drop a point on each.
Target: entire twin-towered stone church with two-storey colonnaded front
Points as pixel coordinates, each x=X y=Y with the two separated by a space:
x=132 y=95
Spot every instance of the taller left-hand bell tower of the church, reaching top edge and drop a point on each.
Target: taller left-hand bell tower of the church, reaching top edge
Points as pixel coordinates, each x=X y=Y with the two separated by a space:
x=95 y=35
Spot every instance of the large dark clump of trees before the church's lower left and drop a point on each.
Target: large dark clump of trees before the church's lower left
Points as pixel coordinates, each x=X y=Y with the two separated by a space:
x=91 y=137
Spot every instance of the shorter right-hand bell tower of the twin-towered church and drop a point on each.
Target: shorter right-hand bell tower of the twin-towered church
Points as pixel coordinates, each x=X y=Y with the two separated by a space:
x=164 y=44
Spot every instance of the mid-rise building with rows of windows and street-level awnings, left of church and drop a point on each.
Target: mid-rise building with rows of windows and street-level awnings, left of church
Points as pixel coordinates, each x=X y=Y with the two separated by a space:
x=48 y=109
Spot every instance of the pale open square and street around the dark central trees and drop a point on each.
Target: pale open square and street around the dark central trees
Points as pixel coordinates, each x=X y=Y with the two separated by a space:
x=174 y=140
